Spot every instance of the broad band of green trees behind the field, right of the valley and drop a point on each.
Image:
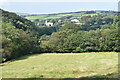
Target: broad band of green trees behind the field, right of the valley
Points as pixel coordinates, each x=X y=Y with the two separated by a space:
x=81 y=41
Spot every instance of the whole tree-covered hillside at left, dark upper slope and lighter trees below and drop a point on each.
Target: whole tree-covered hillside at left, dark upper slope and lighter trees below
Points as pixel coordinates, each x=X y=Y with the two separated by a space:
x=18 y=37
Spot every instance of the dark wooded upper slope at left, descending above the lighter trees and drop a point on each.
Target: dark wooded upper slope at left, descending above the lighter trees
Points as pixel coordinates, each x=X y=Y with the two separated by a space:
x=17 y=21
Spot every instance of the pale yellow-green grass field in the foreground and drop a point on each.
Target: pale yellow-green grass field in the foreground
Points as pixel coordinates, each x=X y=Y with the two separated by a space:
x=67 y=65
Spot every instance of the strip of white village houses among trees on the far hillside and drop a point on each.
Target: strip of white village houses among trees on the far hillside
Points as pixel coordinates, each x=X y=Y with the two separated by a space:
x=53 y=22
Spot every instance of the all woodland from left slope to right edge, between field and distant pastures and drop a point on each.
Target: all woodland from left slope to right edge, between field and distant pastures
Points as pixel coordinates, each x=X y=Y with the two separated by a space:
x=95 y=33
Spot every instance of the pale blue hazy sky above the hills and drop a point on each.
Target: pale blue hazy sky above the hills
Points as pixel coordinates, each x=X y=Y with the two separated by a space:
x=57 y=6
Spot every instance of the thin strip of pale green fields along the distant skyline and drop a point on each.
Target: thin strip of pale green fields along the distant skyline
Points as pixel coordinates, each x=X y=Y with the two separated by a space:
x=72 y=15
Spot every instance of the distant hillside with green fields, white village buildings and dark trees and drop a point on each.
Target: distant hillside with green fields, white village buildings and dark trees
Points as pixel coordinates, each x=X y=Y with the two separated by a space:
x=89 y=20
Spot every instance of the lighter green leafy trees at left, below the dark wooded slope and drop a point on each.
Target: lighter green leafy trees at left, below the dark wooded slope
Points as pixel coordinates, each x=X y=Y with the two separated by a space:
x=17 y=42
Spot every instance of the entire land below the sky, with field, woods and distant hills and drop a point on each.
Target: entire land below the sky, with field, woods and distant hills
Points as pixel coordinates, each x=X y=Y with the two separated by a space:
x=81 y=44
